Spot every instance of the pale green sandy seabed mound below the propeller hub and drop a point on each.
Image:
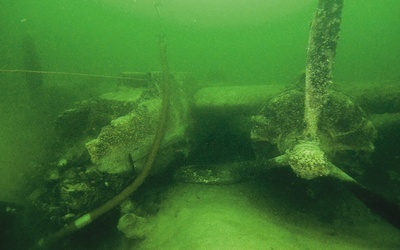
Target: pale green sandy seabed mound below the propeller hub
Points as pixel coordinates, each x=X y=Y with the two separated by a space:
x=195 y=216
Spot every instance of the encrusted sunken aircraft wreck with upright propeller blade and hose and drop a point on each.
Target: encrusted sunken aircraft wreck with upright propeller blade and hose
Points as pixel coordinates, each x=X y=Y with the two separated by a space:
x=104 y=143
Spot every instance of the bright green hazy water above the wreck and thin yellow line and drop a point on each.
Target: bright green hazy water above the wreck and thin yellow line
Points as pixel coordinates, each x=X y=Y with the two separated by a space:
x=259 y=40
